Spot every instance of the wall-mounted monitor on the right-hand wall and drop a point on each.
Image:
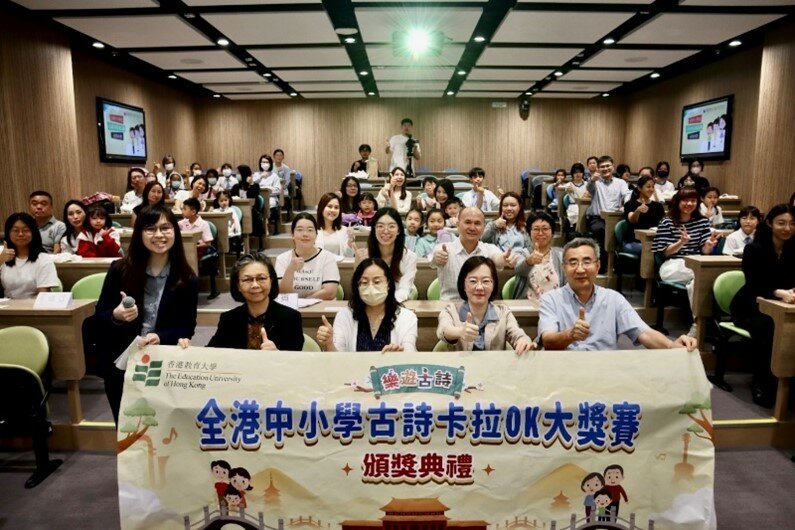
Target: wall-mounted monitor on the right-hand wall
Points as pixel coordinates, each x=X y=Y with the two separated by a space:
x=707 y=129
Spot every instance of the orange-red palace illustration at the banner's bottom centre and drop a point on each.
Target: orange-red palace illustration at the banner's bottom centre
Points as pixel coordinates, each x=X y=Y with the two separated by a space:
x=414 y=514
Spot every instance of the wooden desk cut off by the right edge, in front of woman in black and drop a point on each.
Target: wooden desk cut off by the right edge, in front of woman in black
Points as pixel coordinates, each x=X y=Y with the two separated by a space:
x=783 y=360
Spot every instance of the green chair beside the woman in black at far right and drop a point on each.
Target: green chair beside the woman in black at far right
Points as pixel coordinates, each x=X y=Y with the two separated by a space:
x=724 y=289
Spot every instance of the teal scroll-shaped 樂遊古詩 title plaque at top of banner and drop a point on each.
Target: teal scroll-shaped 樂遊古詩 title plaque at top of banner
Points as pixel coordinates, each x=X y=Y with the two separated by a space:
x=410 y=378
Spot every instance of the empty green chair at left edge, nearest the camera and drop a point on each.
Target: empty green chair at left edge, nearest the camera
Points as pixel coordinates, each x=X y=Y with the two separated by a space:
x=24 y=354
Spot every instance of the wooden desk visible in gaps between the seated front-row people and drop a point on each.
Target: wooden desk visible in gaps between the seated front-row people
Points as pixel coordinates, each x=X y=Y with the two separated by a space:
x=427 y=312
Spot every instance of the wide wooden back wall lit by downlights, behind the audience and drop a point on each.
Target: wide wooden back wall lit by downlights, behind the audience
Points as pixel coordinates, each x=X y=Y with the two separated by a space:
x=321 y=137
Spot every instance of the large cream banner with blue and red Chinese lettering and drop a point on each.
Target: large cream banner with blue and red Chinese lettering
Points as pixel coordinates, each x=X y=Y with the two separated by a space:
x=221 y=438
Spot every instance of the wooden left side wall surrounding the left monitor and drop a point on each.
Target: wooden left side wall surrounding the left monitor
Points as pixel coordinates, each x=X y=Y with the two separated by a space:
x=170 y=121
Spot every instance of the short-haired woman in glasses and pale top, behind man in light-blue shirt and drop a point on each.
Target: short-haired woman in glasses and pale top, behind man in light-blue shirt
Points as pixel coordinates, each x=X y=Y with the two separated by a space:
x=541 y=270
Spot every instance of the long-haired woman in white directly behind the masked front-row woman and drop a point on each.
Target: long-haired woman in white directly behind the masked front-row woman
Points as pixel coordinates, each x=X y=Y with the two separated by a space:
x=387 y=241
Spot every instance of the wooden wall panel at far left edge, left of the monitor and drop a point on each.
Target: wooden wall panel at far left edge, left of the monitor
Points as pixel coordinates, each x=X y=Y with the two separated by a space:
x=38 y=140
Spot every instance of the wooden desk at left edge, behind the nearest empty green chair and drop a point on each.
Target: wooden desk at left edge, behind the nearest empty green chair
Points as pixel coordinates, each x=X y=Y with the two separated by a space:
x=63 y=329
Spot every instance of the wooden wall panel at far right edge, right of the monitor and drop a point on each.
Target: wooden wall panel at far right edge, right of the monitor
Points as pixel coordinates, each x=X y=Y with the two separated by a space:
x=775 y=132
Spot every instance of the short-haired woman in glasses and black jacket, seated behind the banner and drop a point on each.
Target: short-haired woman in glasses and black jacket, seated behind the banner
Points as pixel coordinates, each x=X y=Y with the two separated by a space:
x=254 y=325
